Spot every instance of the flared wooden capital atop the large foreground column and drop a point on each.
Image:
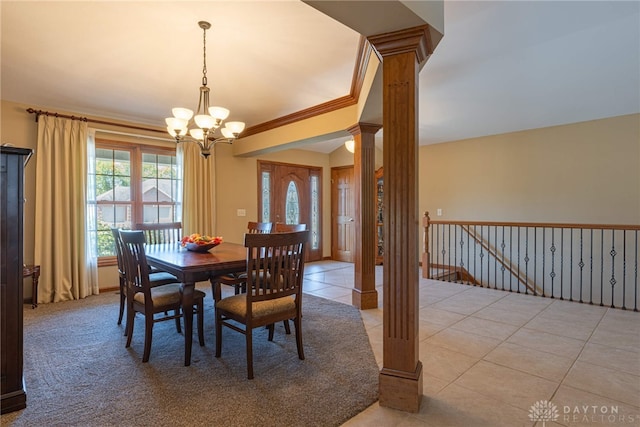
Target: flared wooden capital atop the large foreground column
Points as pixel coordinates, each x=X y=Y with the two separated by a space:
x=416 y=39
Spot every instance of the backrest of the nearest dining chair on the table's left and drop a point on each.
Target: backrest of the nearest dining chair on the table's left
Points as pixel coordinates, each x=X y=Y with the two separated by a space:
x=136 y=269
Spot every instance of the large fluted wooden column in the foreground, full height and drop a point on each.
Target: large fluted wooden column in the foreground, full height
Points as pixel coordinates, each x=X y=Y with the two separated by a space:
x=401 y=375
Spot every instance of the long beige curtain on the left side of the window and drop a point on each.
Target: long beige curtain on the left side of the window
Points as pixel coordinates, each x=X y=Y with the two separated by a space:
x=61 y=247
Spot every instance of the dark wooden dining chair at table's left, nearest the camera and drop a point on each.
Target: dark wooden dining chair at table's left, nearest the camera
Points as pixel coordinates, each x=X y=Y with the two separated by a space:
x=150 y=301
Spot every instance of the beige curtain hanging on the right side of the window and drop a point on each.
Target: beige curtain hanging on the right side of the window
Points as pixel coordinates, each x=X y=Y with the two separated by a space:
x=198 y=210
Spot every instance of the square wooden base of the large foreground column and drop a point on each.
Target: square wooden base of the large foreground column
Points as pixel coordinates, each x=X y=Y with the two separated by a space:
x=401 y=390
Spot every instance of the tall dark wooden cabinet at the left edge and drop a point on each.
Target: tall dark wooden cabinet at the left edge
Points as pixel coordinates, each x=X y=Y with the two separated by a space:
x=13 y=395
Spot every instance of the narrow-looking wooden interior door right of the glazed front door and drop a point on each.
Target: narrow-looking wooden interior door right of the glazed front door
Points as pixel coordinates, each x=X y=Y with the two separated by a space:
x=342 y=214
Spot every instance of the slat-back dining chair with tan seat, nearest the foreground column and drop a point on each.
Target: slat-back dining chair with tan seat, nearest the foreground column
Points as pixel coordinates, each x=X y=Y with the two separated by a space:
x=275 y=269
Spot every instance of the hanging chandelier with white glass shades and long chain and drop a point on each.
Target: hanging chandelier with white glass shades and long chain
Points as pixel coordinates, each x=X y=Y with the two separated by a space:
x=208 y=120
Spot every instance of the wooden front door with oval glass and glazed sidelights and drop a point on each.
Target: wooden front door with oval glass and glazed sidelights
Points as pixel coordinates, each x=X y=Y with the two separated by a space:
x=292 y=194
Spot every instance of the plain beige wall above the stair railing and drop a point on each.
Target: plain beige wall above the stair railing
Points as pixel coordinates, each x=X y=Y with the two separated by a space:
x=586 y=172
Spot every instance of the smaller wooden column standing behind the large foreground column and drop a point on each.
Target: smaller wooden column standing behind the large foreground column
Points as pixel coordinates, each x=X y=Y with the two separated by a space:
x=364 y=294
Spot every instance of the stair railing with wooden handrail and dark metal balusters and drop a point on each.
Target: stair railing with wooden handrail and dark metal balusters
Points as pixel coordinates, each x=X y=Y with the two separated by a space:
x=589 y=263
